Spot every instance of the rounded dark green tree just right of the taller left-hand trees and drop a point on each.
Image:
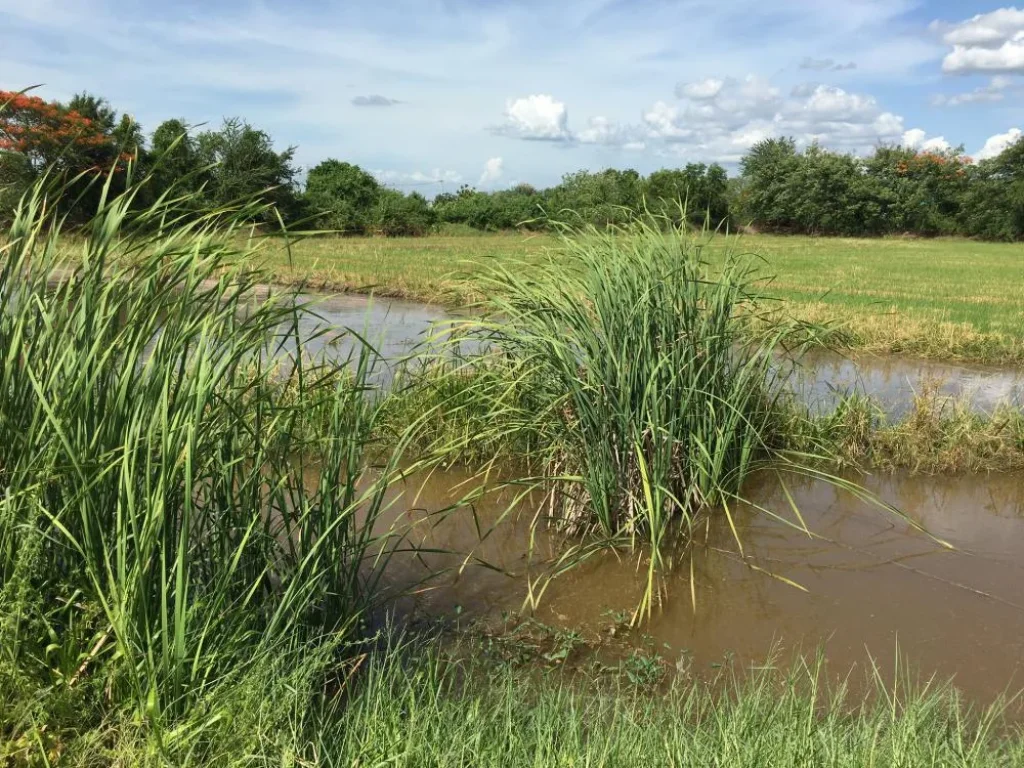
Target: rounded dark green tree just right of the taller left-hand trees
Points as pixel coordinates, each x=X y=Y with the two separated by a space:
x=343 y=197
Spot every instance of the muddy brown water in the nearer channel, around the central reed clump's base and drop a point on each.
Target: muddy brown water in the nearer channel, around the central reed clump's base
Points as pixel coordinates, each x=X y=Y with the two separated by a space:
x=877 y=588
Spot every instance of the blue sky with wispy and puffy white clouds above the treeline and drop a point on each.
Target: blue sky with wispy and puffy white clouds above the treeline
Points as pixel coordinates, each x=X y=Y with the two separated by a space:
x=431 y=95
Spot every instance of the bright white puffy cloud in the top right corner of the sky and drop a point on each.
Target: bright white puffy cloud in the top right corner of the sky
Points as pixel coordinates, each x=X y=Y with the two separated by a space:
x=986 y=44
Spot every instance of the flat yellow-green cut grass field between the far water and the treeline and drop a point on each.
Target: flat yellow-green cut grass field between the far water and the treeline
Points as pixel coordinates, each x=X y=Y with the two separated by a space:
x=945 y=300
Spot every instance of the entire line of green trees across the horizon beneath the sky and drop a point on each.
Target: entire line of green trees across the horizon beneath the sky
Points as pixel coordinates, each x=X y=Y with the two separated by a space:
x=894 y=191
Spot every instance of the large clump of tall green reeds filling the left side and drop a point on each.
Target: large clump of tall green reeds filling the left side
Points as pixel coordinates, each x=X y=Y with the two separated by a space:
x=170 y=522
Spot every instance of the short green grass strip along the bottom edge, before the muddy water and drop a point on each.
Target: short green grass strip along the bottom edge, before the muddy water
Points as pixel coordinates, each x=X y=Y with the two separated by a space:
x=416 y=708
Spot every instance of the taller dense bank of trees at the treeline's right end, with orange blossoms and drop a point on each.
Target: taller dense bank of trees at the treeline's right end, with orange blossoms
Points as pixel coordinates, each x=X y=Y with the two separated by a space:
x=894 y=191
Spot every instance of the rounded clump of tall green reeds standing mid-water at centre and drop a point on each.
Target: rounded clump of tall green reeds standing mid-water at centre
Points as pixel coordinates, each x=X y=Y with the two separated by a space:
x=653 y=379
